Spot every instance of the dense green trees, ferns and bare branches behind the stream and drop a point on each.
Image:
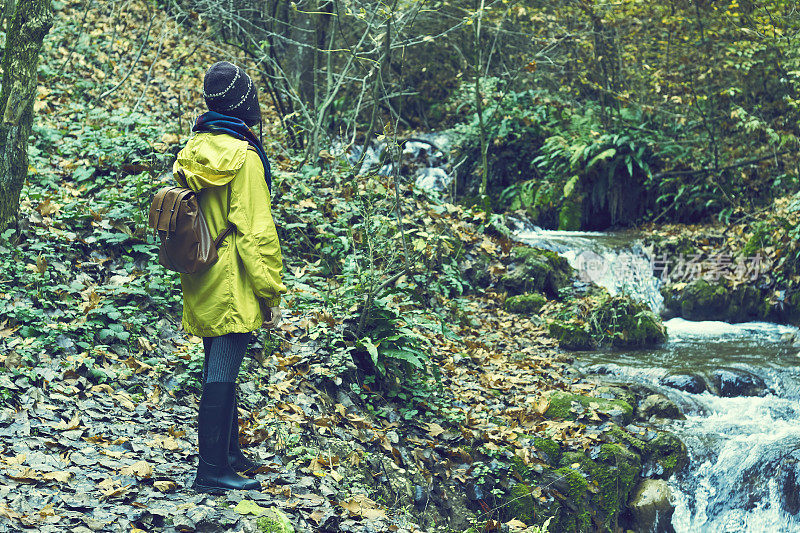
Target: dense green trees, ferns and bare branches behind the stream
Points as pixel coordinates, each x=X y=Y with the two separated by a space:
x=676 y=111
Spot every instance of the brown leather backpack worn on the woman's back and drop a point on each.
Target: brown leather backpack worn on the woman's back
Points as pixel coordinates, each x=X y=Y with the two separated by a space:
x=186 y=243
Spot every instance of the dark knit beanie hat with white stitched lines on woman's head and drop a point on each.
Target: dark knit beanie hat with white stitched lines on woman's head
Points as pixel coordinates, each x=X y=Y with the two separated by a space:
x=228 y=89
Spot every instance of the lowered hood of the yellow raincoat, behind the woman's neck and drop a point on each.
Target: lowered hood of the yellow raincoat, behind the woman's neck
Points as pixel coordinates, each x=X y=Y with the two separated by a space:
x=210 y=160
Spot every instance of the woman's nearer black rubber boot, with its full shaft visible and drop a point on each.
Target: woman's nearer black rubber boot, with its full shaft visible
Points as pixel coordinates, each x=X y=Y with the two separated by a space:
x=214 y=474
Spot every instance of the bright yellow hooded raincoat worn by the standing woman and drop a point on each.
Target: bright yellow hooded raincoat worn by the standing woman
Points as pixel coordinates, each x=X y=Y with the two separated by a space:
x=233 y=296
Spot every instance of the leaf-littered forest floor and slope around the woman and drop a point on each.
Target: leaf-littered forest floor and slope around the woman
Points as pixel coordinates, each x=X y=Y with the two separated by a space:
x=104 y=438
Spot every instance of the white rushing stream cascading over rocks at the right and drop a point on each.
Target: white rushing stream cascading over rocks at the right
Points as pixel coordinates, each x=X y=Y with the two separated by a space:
x=744 y=451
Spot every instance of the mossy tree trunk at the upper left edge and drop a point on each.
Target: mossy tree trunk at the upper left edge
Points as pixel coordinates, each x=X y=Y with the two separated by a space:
x=26 y=31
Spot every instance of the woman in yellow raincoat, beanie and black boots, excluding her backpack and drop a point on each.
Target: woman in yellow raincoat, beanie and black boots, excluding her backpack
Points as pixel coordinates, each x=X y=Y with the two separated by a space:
x=225 y=162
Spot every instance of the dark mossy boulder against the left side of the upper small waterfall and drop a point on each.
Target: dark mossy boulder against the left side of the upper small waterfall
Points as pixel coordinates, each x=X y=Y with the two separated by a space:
x=536 y=270
